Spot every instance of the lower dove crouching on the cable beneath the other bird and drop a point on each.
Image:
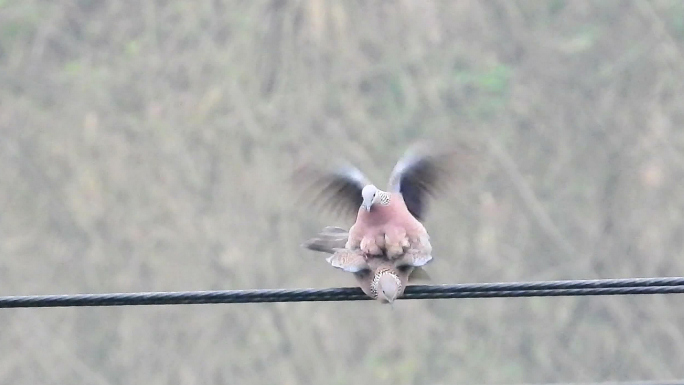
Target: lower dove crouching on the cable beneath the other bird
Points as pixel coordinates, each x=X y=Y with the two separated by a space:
x=379 y=277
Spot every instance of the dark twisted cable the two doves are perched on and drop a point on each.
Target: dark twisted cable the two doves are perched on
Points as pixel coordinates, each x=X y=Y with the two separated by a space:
x=629 y=286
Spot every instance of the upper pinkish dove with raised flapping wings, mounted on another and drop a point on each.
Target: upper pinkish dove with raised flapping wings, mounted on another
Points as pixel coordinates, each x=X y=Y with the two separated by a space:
x=387 y=222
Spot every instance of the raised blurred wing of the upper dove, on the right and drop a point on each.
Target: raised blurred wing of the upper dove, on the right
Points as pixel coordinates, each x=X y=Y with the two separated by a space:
x=422 y=172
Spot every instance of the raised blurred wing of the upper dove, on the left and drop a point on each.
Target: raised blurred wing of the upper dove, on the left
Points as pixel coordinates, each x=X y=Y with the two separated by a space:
x=337 y=190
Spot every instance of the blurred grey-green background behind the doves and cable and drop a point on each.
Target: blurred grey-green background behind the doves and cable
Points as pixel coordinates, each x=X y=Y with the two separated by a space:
x=147 y=146
